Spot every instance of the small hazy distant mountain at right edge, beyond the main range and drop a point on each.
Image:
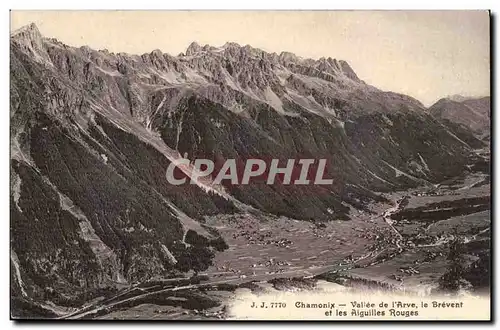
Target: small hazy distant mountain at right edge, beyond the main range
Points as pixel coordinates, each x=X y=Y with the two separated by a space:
x=473 y=113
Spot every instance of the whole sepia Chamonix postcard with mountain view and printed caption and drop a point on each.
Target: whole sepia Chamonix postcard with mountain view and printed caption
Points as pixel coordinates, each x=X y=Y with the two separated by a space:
x=250 y=165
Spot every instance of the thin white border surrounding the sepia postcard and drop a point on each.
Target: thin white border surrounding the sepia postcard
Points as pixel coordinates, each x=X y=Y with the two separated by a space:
x=186 y=4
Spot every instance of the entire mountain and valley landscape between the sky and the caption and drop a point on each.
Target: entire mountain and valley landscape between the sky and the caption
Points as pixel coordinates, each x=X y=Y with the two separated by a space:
x=98 y=232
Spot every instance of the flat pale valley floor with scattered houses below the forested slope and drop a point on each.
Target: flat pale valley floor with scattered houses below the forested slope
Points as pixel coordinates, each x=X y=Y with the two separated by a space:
x=286 y=254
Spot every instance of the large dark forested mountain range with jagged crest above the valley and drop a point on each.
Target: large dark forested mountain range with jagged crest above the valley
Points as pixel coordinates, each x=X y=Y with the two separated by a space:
x=93 y=132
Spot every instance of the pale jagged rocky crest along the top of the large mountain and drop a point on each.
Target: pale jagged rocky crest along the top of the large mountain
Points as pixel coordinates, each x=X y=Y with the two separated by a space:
x=244 y=69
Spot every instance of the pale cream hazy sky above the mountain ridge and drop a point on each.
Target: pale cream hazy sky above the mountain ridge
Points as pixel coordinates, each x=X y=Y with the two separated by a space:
x=425 y=54
